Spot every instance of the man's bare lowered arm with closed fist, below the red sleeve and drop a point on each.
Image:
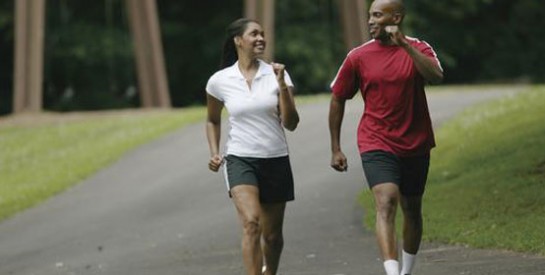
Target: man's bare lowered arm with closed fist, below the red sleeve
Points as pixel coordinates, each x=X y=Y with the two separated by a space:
x=336 y=114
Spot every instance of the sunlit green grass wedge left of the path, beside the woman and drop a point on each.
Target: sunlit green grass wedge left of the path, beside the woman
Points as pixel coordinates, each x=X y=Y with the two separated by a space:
x=41 y=159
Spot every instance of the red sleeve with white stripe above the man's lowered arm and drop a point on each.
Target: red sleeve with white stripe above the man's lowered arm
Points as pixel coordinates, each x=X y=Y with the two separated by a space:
x=345 y=85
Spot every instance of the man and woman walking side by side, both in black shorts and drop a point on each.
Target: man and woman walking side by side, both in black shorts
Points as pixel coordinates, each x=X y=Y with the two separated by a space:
x=394 y=135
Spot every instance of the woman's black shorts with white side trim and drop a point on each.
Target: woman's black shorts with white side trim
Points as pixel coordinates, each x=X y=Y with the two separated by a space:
x=272 y=176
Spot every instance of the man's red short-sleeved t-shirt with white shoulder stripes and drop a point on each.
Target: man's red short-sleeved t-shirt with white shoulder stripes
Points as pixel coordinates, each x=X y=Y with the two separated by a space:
x=396 y=117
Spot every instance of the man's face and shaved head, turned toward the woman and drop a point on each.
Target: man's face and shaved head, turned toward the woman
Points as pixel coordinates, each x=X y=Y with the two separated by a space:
x=381 y=14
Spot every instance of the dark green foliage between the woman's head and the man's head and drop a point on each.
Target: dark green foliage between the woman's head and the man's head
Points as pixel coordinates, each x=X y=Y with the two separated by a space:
x=309 y=42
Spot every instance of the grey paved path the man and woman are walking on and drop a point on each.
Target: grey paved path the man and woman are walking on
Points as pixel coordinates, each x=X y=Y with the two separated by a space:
x=159 y=211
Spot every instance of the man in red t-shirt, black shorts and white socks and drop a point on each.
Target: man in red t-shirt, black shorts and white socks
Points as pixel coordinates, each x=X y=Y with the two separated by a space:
x=395 y=134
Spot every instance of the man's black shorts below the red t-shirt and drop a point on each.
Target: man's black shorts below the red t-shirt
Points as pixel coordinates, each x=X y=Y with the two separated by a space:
x=409 y=173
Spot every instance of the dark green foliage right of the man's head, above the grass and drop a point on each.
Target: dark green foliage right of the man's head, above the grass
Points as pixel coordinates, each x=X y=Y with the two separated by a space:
x=483 y=40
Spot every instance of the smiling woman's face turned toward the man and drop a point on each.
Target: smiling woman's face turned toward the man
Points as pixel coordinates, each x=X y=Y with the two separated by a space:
x=252 y=42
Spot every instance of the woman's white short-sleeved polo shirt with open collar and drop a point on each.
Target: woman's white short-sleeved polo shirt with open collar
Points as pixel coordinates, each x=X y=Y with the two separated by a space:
x=256 y=129
